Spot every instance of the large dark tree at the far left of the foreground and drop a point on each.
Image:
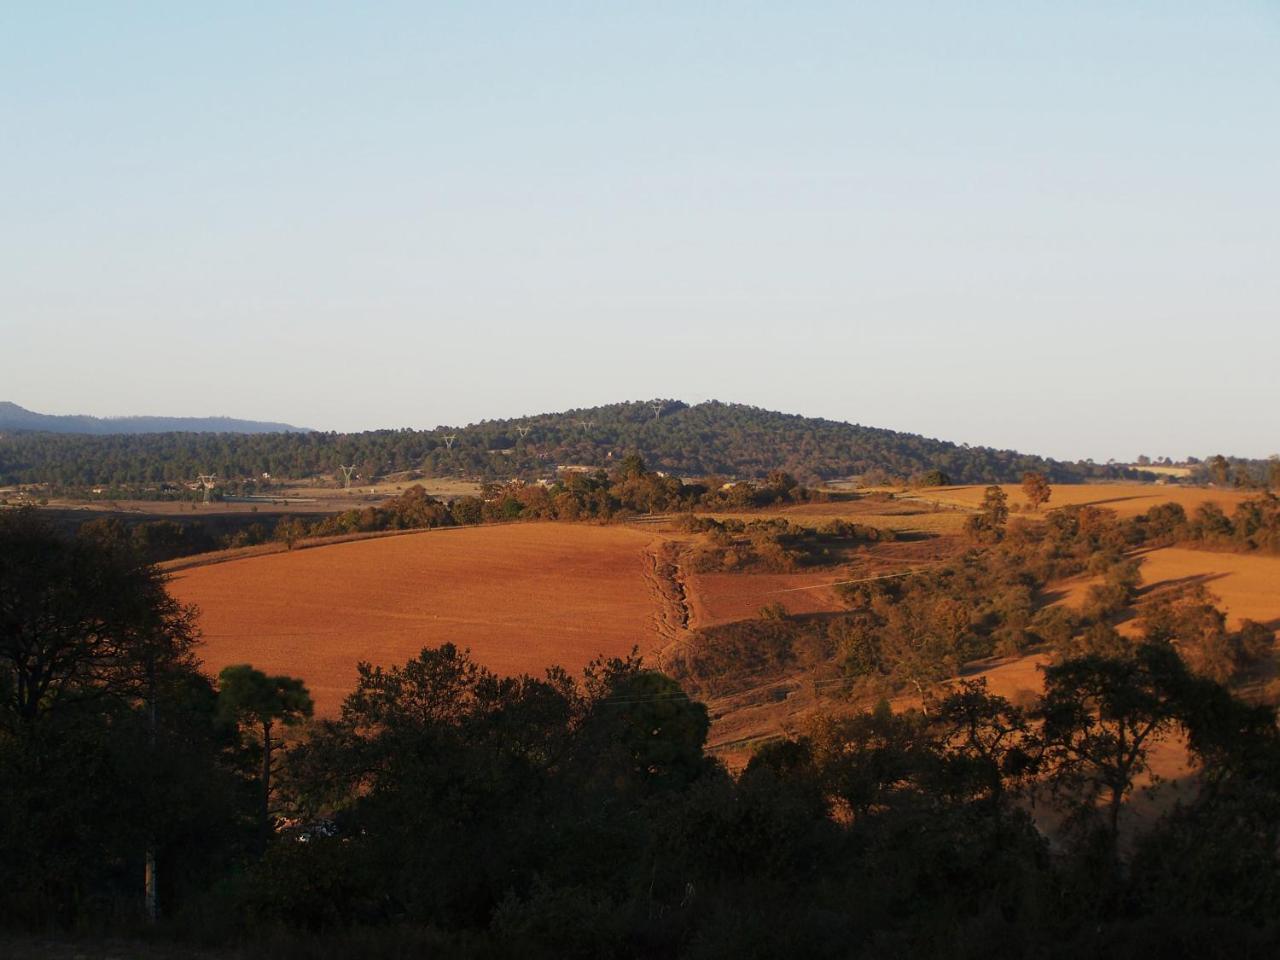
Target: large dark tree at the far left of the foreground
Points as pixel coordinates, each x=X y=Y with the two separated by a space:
x=109 y=742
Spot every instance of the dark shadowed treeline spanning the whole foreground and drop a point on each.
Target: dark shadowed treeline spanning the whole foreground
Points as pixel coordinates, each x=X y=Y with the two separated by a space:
x=451 y=812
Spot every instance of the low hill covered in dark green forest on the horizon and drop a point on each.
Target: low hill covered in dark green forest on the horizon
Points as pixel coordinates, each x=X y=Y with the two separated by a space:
x=733 y=441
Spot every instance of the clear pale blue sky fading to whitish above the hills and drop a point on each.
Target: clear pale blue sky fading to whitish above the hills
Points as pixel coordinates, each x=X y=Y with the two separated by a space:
x=1041 y=226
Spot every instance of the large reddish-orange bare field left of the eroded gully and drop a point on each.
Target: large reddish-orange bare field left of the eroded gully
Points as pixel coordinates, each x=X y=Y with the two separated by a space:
x=523 y=597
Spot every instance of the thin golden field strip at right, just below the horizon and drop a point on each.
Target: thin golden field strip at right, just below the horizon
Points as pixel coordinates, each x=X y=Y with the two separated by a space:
x=1126 y=500
